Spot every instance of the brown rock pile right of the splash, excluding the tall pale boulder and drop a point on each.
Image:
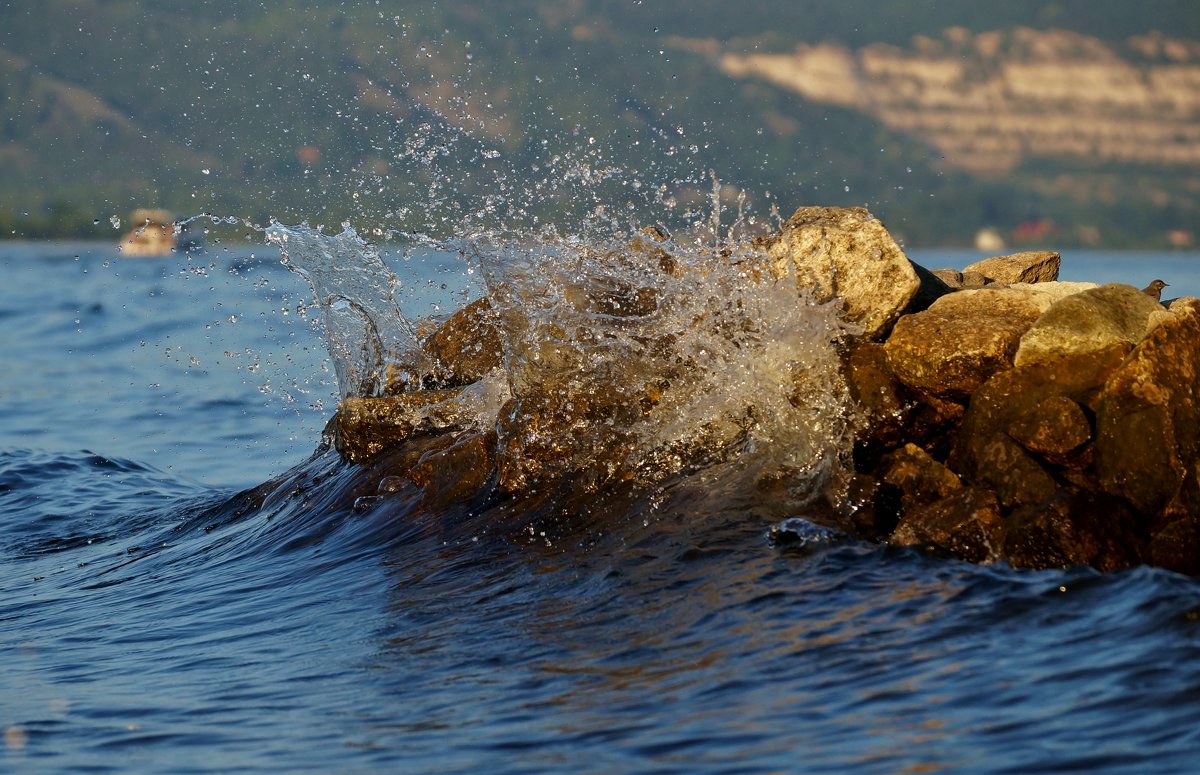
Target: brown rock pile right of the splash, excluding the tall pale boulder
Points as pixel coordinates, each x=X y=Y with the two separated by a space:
x=1037 y=423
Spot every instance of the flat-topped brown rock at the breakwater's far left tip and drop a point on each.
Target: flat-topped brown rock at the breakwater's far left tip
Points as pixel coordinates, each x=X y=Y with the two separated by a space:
x=367 y=428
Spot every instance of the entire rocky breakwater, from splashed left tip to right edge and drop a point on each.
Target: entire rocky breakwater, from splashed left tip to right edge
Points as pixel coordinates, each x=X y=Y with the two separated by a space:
x=1000 y=416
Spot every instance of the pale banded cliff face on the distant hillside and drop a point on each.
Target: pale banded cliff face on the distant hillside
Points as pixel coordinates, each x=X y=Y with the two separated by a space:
x=989 y=101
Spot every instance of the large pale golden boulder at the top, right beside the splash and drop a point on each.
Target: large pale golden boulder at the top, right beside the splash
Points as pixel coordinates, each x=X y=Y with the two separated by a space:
x=845 y=253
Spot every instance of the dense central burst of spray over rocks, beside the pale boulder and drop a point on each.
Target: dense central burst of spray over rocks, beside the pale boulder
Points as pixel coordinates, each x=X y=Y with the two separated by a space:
x=646 y=362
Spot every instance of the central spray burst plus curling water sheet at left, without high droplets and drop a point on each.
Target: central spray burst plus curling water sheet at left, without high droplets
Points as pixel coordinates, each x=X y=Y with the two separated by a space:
x=627 y=364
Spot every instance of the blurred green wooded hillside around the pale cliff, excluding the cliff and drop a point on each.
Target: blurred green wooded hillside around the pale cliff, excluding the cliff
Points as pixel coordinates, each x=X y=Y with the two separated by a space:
x=419 y=116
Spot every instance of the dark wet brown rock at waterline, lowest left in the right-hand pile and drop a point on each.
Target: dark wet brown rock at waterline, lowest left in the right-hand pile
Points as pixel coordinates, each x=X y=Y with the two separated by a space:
x=967 y=524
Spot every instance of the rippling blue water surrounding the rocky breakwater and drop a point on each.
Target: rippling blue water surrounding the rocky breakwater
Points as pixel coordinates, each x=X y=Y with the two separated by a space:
x=163 y=612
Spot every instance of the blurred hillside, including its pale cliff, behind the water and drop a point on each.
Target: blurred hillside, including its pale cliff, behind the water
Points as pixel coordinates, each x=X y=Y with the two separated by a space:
x=1073 y=123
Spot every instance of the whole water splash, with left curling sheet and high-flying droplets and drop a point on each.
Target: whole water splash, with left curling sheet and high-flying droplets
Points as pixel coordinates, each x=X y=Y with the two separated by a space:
x=631 y=358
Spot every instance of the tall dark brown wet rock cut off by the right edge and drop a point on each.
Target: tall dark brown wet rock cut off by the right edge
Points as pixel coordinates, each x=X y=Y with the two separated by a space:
x=1148 y=422
